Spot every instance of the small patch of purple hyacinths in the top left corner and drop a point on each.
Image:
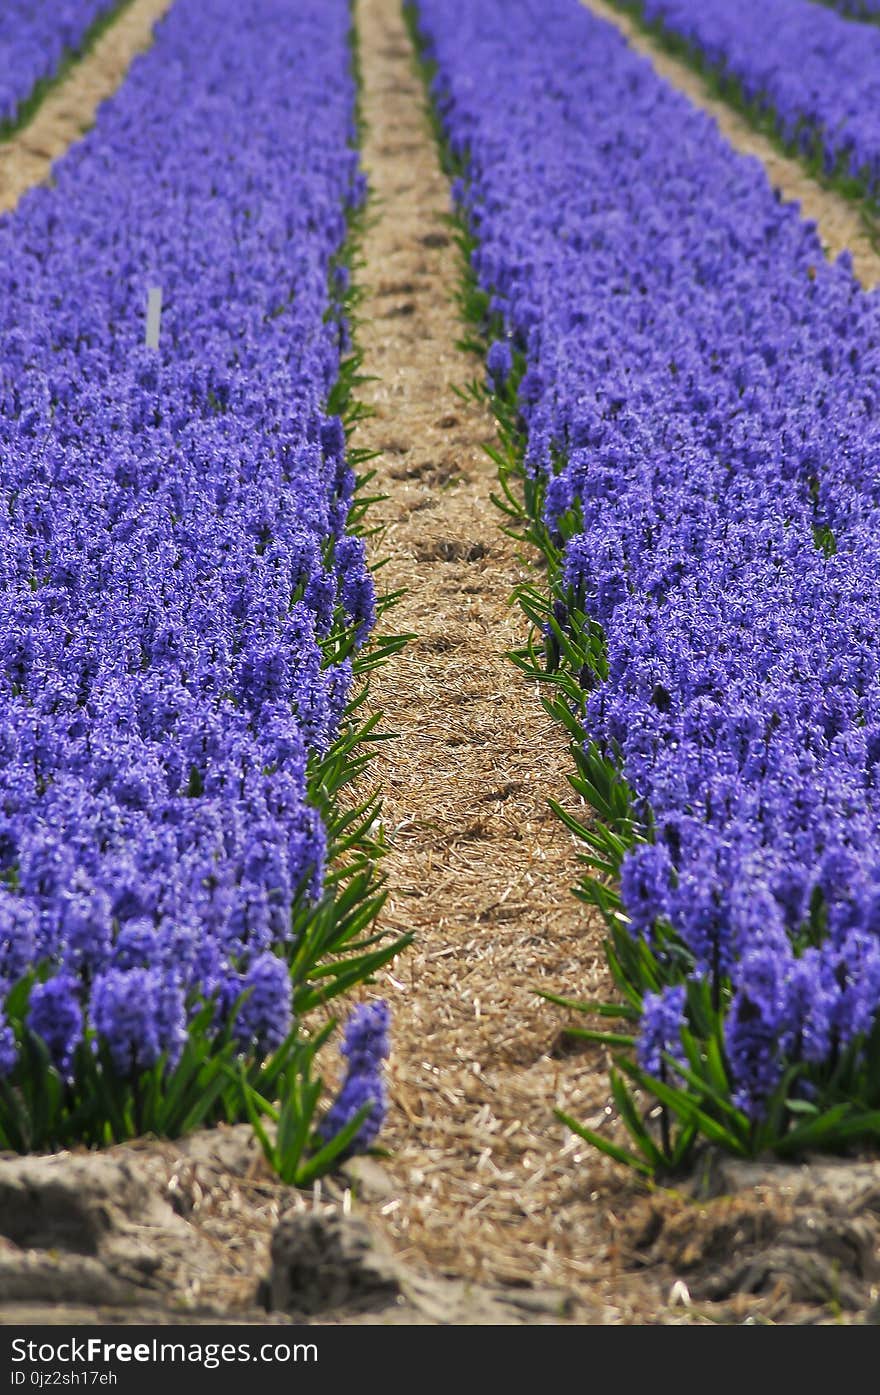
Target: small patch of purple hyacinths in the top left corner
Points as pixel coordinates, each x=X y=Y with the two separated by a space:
x=36 y=37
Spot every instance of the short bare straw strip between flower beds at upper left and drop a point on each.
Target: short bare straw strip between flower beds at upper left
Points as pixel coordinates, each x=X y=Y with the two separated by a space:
x=69 y=111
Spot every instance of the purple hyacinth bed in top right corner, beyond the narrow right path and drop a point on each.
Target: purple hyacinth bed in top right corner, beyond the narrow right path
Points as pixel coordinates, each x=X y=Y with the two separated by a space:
x=814 y=70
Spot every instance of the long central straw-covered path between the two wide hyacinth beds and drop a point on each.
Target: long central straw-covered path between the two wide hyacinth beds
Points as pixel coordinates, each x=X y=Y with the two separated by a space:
x=487 y=1184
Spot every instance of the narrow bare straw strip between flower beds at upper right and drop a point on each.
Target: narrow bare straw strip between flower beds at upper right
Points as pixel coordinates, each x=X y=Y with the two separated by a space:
x=840 y=223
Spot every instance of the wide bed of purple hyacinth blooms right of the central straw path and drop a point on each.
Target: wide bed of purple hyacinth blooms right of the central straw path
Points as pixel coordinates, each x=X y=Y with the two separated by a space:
x=704 y=386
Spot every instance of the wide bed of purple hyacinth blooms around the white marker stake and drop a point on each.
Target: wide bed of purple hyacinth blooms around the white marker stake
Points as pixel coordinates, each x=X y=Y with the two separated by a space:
x=172 y=550
